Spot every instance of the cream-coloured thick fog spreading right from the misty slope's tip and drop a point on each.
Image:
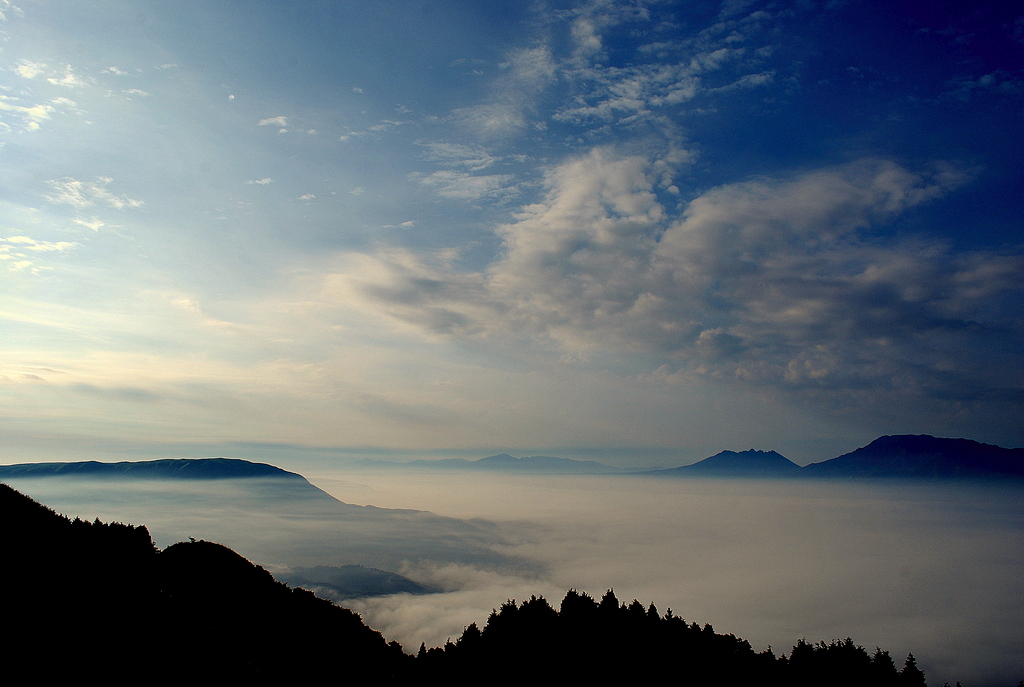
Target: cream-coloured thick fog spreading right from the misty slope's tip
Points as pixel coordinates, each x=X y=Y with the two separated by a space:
x=929 y=569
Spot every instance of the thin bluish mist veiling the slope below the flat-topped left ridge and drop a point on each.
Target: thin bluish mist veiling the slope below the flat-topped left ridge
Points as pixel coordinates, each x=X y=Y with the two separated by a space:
x=278 y=524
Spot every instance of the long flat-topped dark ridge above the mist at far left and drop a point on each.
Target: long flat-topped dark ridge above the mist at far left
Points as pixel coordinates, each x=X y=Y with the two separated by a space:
x=186 y=468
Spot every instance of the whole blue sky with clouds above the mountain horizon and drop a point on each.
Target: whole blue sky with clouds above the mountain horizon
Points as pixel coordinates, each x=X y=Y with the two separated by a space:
x=634 y=232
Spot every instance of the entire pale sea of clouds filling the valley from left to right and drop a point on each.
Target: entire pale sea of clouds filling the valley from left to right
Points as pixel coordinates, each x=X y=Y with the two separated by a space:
x=929 y=569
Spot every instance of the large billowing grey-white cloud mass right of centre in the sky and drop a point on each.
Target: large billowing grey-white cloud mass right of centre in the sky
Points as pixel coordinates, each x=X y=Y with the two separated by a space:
x=772 y=282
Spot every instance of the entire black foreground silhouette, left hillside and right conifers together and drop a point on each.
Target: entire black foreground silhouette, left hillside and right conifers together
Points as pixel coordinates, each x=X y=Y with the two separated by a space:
x=92 y=602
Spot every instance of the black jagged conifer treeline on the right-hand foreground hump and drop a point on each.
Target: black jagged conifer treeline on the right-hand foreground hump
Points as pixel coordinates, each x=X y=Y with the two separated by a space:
x=590 y=640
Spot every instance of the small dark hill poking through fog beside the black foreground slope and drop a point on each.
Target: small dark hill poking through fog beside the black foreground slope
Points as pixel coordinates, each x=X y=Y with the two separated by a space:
x=351 y=582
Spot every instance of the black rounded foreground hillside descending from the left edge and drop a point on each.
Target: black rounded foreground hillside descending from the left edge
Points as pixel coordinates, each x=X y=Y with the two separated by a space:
x=88 y=599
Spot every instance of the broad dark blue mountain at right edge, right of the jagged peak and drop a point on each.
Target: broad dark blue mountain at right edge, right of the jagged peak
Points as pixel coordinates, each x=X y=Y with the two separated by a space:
x=923 y=456
